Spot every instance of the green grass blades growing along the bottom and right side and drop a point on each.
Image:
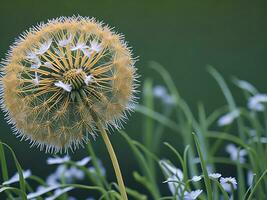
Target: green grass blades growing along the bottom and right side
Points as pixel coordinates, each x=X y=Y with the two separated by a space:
x=181 y=173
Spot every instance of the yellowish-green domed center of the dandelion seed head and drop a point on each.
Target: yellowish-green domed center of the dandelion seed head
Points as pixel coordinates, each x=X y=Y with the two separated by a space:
x=75 y=77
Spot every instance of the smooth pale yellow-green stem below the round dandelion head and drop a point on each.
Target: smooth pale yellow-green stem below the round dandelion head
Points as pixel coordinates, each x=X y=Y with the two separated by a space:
x=113 y=160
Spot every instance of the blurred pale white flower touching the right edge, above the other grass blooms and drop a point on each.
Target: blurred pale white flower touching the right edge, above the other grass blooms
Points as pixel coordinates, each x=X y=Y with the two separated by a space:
x=257 y=102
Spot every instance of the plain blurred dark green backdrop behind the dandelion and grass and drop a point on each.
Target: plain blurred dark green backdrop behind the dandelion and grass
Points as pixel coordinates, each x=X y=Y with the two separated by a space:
x=184 y=36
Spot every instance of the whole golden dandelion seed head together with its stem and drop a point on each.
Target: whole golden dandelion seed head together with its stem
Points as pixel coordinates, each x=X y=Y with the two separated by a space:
x=64 y=81
